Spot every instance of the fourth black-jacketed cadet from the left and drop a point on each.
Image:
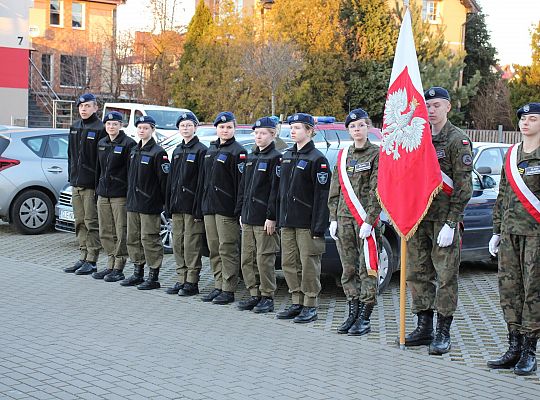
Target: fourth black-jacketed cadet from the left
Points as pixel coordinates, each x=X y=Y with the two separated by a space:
x=183 y=203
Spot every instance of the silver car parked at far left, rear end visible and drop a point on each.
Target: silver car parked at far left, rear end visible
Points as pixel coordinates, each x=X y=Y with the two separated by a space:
x=33 y=171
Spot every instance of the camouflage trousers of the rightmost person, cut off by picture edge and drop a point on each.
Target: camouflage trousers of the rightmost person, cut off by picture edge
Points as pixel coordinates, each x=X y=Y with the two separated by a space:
x=519 y=282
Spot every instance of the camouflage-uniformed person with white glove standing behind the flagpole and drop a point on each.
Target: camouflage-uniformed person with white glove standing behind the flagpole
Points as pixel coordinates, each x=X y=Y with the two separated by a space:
x=434 y=250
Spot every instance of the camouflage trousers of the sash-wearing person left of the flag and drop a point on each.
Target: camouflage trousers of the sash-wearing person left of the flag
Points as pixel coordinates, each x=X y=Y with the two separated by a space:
x=357 y=283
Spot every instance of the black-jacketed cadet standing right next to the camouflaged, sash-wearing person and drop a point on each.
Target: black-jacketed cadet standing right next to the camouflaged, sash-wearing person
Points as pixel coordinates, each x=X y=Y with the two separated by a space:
x=303 y=218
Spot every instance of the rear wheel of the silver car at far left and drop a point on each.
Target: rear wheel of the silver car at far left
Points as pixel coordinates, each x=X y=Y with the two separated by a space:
x=32 y=212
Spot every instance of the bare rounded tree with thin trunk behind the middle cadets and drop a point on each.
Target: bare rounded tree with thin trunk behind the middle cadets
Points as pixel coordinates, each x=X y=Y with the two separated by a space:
x=274 y=63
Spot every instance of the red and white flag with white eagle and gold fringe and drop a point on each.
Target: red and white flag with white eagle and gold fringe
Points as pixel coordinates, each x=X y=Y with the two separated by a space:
x=409 y=172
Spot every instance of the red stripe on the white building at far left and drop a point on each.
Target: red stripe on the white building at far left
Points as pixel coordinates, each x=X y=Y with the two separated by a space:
x=14 y=66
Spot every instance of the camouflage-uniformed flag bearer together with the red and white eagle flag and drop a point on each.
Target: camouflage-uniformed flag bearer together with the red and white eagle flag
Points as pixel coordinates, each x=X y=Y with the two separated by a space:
x=412 y=164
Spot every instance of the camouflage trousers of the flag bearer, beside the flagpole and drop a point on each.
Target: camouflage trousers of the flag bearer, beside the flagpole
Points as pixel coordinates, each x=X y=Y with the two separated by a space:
x=432 y=271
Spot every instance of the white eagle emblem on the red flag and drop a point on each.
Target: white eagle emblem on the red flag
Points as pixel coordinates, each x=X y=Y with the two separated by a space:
x=402 y=129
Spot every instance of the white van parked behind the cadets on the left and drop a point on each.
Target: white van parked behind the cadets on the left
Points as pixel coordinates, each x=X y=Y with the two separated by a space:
x=165 y=117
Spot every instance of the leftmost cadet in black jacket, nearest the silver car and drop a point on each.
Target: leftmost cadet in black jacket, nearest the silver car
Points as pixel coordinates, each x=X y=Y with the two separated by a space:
x=84 y=136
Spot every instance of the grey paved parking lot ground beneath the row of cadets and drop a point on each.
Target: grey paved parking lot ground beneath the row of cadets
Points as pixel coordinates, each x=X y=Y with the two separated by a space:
x=64 y=336
